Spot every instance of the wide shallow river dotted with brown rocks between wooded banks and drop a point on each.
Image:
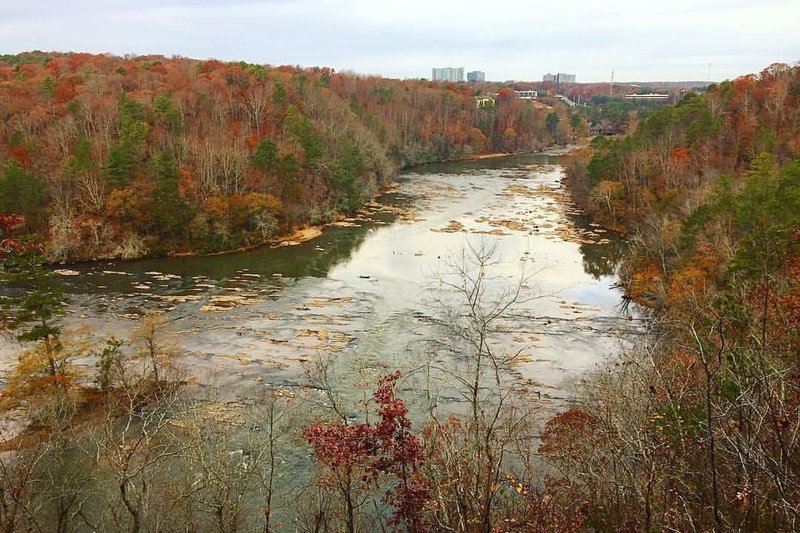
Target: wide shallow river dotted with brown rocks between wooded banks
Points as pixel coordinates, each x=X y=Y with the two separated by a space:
x=361 y=294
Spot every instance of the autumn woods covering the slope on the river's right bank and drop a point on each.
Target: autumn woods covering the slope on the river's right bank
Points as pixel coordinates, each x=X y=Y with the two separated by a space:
x=697 y=429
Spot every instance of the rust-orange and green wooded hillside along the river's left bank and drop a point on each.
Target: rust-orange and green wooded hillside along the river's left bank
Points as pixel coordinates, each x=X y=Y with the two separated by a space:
x=108 y=156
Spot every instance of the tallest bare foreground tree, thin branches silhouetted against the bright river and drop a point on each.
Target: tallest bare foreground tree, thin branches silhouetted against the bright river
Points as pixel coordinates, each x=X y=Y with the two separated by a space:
x=470 y=453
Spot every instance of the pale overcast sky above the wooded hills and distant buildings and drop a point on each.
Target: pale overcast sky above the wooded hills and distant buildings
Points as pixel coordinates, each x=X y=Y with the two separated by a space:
x=673 y=40
